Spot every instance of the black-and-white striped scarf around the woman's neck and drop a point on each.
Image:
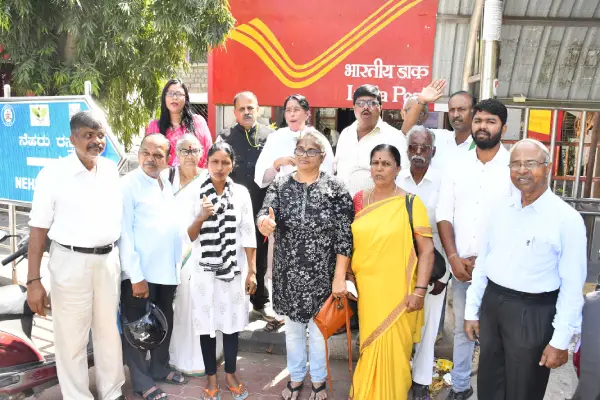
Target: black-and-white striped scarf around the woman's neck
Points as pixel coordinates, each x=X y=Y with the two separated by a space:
x=218 y=234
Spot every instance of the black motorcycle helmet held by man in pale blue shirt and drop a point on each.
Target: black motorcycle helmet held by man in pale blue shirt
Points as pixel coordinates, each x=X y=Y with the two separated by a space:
x=149 y=331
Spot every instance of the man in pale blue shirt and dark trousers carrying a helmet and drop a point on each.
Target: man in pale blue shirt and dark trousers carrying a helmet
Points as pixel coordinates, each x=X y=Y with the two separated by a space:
x=151 y=247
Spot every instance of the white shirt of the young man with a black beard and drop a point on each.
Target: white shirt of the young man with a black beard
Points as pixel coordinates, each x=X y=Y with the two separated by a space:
x=469 y=192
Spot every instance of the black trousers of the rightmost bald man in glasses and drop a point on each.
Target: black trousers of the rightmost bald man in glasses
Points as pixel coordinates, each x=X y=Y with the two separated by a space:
x=515 y=328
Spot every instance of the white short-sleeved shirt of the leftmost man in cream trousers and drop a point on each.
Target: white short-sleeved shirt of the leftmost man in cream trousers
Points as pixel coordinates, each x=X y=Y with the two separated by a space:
x=79 y=207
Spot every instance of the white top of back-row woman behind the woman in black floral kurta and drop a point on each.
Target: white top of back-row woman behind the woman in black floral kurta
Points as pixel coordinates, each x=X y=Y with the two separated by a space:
x=282 y=143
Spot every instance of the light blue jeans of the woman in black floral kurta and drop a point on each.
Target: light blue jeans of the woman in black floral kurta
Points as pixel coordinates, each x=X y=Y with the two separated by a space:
x=295 y=343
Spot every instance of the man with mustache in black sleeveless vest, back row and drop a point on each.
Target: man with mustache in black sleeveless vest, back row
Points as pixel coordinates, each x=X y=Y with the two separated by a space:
x=247 y=138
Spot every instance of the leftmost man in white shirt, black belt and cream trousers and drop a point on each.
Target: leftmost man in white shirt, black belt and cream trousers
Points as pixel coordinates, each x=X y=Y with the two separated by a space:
x=77 y=204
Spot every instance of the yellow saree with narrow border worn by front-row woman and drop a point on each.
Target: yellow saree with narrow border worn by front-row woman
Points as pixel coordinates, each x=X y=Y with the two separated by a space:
x=384 y=263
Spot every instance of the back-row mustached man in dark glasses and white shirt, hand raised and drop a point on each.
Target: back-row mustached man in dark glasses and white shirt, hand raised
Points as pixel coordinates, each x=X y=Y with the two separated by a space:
x=352 y=156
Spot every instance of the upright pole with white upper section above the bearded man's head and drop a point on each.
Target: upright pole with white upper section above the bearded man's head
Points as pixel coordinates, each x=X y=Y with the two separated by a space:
x=492 y=27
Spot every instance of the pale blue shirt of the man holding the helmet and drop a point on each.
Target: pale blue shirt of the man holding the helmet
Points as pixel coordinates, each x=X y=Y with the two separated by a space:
x=151 y=240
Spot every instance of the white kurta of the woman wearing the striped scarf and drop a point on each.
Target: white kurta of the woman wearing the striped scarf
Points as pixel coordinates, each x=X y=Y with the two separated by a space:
x=219 y=305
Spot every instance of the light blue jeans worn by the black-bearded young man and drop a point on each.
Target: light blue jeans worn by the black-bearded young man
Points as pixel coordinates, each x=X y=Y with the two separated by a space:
x=463 y=347
